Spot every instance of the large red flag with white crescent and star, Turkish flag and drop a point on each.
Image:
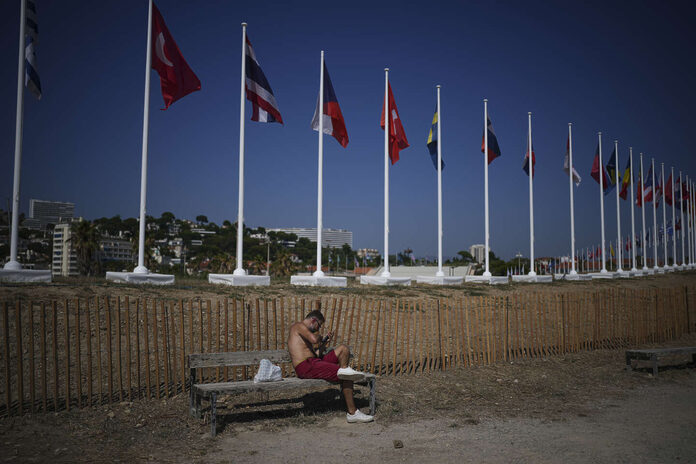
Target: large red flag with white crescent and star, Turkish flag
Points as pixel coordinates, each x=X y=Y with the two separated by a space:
x=176 y=77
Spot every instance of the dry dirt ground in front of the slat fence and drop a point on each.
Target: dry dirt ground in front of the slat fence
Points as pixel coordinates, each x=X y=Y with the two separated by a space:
x=574 y=408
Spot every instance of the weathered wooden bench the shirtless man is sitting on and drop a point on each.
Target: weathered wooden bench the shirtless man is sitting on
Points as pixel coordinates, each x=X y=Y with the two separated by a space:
x=211 y=391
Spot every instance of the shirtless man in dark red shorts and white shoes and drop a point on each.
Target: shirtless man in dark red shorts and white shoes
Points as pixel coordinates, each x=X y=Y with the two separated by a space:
x=332 y=366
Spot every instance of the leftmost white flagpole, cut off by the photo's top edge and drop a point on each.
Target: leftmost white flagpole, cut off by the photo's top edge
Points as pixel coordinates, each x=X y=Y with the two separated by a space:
x=13 y=264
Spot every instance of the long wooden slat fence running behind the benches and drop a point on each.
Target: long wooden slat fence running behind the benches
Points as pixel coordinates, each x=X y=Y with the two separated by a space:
x=71 y=353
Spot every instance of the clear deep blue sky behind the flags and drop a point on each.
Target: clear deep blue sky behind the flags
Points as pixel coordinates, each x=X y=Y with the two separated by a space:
x=623 y=68
